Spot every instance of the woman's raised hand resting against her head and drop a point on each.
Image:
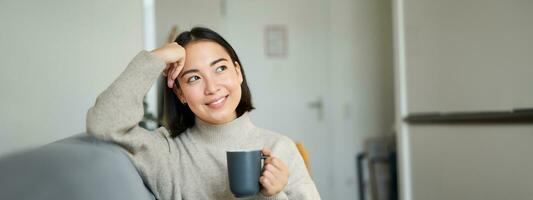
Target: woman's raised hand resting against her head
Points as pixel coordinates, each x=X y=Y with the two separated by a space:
x=174 y=56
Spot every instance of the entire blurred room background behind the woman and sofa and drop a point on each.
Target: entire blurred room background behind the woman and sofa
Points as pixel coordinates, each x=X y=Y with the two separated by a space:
x=375 y=89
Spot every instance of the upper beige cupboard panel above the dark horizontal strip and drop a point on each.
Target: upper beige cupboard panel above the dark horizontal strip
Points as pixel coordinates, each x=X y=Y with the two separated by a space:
x=469 y=55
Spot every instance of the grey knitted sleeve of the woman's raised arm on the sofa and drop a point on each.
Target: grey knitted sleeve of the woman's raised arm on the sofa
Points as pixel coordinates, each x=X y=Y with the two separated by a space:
x=116 y=115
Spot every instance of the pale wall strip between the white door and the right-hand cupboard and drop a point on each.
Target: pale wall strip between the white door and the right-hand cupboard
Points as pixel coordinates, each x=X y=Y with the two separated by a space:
x=361 y=90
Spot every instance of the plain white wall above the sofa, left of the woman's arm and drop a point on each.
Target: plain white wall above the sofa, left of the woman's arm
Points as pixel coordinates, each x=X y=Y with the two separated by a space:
x=56 y=57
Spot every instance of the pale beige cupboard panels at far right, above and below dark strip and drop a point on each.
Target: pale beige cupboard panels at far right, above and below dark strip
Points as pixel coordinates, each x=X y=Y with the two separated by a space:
x=464 y=56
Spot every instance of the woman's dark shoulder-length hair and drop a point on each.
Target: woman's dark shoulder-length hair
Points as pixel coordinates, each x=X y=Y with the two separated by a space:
x=178 y=117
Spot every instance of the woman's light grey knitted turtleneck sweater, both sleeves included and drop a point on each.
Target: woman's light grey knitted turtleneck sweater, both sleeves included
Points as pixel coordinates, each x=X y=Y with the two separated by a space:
x=192 y=165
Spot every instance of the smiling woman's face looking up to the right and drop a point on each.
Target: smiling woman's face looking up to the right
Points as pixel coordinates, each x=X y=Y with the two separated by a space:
x=209 y=82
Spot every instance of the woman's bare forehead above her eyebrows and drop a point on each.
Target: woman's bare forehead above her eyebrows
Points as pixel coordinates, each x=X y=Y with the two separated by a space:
x=202 y=53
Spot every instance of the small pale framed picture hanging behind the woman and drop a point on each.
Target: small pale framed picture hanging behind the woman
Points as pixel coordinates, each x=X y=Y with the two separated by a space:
x=276 y=41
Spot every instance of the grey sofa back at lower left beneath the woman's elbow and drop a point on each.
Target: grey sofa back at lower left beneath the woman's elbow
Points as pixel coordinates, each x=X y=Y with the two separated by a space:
x=78 y=168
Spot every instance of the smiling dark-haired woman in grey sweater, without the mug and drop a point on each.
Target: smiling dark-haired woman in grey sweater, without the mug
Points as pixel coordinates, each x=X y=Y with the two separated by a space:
x=207 y=113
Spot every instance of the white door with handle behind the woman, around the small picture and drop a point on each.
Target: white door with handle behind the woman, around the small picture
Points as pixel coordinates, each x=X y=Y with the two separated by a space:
x=288 y=92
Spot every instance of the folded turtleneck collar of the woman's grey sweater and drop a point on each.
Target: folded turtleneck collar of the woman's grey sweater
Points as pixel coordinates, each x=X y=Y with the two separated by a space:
x=223 y=133
